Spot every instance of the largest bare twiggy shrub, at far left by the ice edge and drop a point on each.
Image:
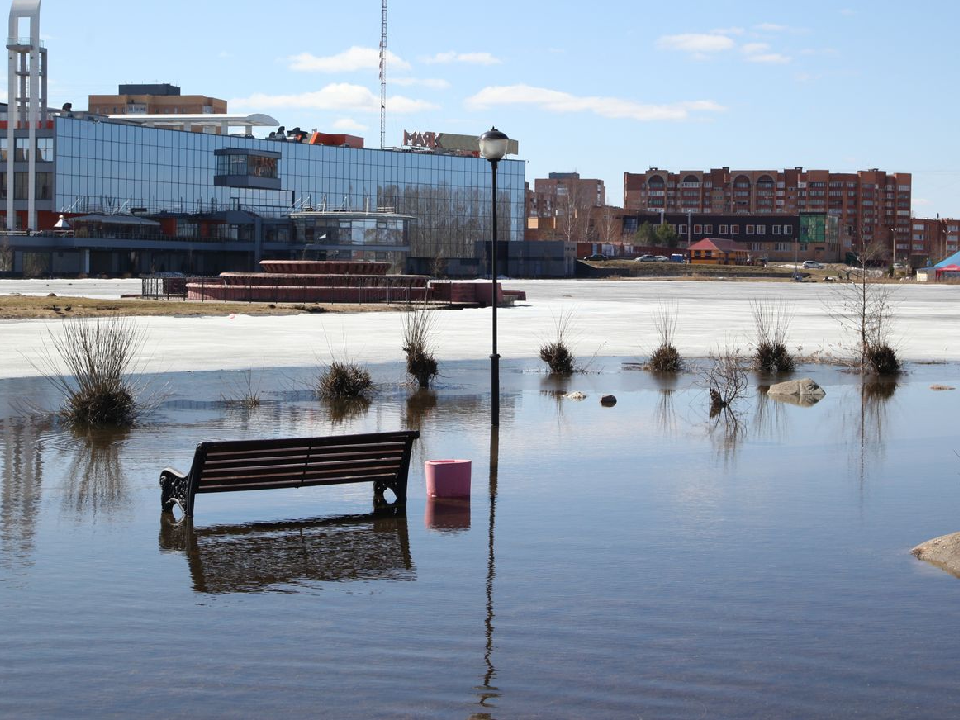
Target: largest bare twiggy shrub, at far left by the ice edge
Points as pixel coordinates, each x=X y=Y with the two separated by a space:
x=98 y=389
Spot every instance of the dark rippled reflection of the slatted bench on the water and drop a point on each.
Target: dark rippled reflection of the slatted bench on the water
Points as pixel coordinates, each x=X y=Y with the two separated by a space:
x=280 y=556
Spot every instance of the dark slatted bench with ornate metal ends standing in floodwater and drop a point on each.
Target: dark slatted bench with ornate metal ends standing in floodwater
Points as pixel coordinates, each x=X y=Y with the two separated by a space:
x=228 y=465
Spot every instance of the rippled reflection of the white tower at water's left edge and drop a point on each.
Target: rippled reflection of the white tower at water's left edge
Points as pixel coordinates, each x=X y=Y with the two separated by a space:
x=22 y=443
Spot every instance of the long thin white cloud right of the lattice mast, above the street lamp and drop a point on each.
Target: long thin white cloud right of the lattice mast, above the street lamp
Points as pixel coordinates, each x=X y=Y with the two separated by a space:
x=560 y=102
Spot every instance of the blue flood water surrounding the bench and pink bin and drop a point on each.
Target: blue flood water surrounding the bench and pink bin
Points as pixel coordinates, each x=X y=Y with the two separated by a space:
x=640 y=560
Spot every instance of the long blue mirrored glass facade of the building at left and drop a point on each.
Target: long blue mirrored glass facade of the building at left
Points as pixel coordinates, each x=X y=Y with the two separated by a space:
x=112 y=167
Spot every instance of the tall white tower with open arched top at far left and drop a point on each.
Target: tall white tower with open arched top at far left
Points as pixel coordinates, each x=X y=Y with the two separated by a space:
x=26 y=101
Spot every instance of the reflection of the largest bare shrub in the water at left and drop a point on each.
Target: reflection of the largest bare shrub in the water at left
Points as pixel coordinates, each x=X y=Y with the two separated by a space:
x=95 y=477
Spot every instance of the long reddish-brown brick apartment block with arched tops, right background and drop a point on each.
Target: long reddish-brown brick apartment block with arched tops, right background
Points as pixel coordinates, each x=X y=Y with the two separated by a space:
x=872 y=205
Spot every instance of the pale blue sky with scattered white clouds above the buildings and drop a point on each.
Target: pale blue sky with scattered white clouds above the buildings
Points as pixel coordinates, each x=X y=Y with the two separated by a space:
x=599 y=88
